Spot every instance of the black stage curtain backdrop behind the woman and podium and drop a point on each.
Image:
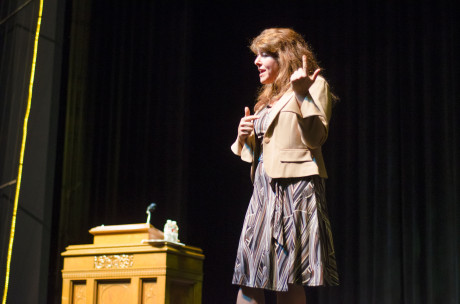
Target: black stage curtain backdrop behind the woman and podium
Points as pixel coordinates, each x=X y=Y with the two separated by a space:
x=154 y=109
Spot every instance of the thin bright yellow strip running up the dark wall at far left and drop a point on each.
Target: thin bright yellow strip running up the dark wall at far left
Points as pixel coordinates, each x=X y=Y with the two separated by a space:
x=21 y=158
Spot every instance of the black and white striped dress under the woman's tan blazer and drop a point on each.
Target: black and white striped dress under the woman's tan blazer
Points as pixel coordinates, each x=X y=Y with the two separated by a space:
x=286 y=236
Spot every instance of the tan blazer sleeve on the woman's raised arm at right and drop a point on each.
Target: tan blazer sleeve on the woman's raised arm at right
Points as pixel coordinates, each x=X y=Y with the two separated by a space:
x=316 y=112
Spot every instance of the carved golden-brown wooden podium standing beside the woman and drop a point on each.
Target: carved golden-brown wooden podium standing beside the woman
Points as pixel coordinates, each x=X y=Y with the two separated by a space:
x=131 y=264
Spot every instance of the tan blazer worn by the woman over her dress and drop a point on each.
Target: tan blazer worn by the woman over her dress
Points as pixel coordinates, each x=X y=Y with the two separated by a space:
x=292 y=143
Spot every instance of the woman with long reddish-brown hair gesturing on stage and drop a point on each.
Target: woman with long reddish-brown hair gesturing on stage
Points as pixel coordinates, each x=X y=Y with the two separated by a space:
x=286 y=240
